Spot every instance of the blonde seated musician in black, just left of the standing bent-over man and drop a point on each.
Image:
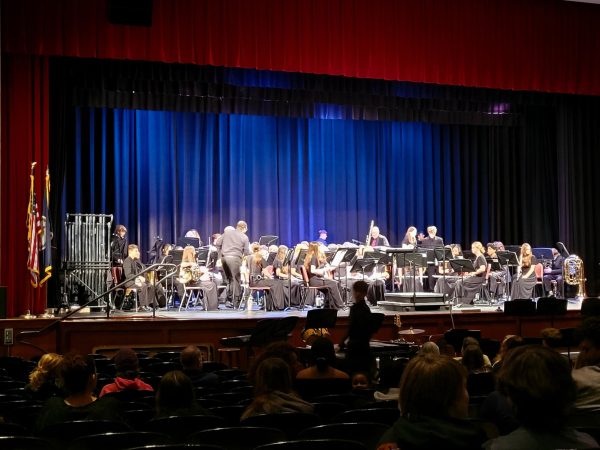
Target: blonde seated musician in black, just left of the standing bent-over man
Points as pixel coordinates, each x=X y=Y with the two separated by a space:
x=192 y=274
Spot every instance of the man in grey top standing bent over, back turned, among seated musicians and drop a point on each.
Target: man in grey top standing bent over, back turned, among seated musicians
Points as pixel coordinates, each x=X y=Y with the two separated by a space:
x=233 y=245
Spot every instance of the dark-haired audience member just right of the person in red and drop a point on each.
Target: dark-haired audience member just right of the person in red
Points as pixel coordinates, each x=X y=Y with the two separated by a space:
x=176 y=397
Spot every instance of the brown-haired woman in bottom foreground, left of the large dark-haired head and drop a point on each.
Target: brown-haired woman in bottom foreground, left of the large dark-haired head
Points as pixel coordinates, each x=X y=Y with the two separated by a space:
x=434 y=404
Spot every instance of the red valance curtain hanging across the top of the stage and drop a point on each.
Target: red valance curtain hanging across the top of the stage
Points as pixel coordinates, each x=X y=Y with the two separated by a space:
x=540 y=45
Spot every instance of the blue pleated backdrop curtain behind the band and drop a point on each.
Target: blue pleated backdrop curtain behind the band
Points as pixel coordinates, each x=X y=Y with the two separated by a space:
x=161 y=173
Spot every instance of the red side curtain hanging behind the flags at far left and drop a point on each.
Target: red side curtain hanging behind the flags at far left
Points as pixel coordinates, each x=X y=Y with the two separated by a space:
x=24 y=139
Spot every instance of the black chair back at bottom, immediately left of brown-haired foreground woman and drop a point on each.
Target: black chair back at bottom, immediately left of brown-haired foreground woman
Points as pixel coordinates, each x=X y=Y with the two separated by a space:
x=366 y=433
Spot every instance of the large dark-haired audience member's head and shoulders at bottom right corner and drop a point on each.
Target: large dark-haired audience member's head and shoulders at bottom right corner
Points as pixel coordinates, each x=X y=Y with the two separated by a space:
x=538 y=383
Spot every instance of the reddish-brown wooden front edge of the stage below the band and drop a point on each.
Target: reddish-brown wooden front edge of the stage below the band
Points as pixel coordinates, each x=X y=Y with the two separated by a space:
x=84 y=333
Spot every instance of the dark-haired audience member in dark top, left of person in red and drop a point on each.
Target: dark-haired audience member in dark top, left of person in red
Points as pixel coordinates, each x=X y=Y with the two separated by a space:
x=78 y=376
